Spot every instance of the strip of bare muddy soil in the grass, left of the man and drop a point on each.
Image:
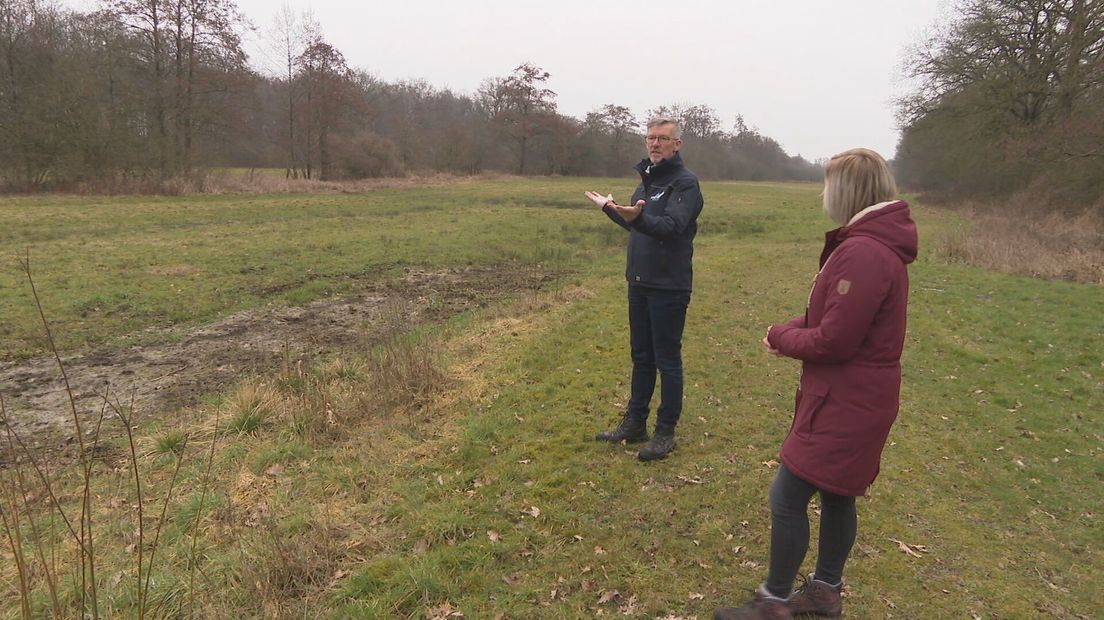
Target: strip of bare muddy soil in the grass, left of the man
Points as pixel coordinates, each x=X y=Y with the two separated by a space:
x=163 y=379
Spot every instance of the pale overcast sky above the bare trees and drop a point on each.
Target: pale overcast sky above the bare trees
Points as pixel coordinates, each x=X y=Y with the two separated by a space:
x=820 y=77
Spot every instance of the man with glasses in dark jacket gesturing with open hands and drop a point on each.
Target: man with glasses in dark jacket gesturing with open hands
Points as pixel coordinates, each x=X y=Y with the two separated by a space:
x=662 y=226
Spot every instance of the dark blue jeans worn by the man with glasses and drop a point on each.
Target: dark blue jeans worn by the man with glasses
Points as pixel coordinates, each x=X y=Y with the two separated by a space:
x=656 y=318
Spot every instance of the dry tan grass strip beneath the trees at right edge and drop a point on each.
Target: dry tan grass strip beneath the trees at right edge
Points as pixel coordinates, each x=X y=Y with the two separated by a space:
x=1017 y=239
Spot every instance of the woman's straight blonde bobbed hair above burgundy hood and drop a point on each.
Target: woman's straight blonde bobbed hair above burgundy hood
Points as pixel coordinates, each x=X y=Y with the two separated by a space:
x=855 y=180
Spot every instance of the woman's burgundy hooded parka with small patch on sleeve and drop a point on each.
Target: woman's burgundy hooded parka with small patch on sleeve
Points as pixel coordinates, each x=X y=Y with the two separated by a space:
x=851 y=344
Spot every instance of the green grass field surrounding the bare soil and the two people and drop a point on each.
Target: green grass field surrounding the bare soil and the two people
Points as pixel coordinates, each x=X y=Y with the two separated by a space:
x=453 y=469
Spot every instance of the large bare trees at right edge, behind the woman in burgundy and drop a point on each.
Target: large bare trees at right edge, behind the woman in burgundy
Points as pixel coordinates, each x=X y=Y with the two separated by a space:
x=1011 y=101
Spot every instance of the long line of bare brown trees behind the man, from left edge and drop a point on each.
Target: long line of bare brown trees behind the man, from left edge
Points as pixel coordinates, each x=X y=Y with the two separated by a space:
x=156 y=90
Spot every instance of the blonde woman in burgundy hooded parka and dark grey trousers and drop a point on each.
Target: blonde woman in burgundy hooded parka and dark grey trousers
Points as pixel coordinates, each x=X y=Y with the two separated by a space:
x=850 y=343
